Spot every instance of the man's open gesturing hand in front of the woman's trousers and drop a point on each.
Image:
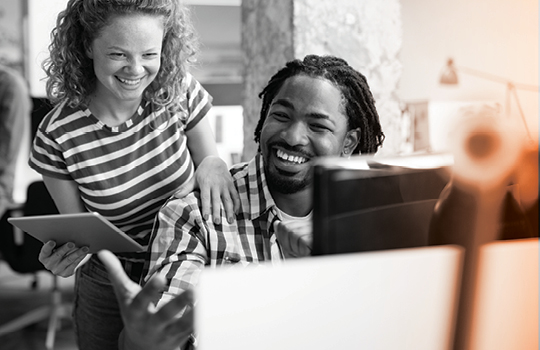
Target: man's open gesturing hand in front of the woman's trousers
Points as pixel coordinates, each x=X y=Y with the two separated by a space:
x=144 y=326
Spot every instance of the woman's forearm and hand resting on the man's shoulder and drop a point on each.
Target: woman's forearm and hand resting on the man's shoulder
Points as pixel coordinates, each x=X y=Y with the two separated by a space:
x=211 y=175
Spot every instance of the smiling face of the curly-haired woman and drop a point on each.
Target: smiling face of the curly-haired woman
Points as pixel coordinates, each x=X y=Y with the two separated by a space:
x=127 y=56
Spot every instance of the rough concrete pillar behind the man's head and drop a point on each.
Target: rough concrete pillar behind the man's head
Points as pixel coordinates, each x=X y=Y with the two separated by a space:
x=366 y=33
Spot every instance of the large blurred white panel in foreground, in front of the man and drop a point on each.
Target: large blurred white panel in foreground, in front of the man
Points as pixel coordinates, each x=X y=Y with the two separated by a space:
x=400 y=299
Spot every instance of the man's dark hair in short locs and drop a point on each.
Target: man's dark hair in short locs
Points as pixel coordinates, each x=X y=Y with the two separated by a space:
x=358 y=100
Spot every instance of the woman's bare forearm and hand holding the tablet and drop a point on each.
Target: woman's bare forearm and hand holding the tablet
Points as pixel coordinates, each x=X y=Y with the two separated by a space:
x=62 y=261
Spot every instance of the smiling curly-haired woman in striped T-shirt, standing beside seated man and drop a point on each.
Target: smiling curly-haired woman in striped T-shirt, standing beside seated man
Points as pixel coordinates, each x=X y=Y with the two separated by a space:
x=129 y=128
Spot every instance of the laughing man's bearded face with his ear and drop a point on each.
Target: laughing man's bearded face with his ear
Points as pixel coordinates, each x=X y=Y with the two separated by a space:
x=305 y=120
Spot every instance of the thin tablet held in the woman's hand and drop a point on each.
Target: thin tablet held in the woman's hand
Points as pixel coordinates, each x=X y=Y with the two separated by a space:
x=83 y=229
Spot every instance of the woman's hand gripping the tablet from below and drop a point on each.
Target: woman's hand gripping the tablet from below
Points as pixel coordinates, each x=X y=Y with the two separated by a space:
x=64 y=260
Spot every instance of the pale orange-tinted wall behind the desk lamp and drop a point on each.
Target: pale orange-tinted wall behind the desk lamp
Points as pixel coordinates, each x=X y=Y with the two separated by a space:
x=496 y=36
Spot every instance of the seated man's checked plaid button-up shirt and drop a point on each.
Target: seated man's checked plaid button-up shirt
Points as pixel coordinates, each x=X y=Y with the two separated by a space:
x=183 y=242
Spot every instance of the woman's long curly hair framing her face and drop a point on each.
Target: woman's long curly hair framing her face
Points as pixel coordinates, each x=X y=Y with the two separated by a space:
x=70 y=71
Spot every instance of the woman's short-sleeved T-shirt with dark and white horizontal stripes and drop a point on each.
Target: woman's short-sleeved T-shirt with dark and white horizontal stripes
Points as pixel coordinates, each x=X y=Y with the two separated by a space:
x=125 y=172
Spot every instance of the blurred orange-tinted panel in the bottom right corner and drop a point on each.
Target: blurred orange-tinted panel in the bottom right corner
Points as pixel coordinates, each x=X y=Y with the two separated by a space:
x=506 y=306
